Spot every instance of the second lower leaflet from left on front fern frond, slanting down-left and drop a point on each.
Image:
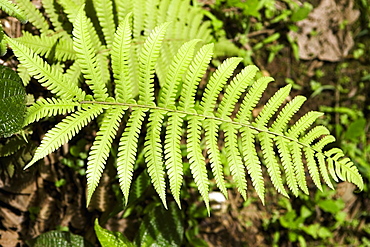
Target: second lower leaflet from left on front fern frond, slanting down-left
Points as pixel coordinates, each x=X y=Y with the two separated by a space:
x=64 y=131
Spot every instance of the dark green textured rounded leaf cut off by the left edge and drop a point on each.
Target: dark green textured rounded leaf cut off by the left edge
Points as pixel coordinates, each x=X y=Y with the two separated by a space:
x=12 y=102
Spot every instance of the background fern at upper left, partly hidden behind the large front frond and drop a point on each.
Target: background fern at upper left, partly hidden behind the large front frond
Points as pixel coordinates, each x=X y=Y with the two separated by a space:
x=55 y=42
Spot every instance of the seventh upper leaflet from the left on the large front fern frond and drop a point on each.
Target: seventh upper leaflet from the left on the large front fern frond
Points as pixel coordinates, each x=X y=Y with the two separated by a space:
x=216 y=83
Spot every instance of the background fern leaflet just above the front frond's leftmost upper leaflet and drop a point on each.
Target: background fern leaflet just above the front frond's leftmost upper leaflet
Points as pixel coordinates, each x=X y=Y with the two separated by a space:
x=61 y=46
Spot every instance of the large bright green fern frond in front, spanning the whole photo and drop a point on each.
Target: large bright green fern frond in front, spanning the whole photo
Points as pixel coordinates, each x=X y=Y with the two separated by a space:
x=175 y=114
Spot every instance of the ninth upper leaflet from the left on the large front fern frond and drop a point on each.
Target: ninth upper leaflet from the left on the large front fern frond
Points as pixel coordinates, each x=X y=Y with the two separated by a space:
x=251 y=99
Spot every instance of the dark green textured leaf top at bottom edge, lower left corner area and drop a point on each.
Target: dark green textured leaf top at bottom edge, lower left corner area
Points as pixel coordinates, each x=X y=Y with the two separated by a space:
x=60 y=239
